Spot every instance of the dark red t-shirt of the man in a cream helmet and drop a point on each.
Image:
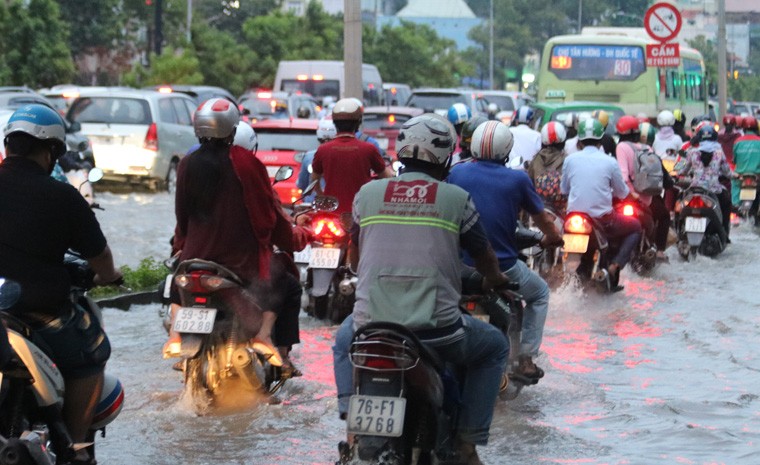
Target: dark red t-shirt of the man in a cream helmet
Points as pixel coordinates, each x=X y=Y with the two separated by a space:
x=346 y=164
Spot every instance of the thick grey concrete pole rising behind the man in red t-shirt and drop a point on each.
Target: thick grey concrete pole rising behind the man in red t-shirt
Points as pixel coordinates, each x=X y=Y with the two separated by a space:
x=352 y=49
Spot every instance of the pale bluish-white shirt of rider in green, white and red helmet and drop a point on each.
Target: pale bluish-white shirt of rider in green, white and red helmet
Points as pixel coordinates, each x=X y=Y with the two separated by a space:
x=590 y=179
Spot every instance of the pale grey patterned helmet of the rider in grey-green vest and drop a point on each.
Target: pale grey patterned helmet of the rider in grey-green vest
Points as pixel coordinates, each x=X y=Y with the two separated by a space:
x=429 y=138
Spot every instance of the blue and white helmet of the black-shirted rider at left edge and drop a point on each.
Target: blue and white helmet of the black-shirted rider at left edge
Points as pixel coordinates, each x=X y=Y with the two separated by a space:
x=40 y=122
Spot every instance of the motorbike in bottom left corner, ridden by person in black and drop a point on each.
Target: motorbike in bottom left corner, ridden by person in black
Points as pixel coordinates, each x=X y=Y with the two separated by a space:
x=32 y=431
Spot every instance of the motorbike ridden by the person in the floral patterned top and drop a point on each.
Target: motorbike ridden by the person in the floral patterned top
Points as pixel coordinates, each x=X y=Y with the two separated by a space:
x=698 y=224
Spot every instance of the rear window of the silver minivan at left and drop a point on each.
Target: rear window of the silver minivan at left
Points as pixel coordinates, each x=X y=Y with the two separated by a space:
x=110 y=110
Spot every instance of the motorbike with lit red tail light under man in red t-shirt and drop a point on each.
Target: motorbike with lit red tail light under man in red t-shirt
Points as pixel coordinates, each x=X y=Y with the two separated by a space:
x=328 y=269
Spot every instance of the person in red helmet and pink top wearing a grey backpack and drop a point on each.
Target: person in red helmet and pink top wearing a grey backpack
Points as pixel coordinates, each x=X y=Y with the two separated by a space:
x=628 y=129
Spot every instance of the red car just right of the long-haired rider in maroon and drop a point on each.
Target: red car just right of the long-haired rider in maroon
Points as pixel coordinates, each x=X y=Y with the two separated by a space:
x=279 y=142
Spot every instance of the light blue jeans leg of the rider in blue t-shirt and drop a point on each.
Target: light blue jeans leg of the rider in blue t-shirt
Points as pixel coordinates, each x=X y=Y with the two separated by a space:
x=535 y=291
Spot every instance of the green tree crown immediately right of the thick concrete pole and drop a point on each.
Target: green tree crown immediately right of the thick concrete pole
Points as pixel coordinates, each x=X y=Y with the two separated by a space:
x=413 y=54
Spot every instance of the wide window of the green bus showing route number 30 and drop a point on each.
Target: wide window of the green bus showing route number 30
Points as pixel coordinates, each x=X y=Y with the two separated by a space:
x=597 y=62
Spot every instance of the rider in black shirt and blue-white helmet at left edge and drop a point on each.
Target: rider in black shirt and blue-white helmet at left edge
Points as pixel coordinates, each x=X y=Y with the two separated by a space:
x=41 y=219
